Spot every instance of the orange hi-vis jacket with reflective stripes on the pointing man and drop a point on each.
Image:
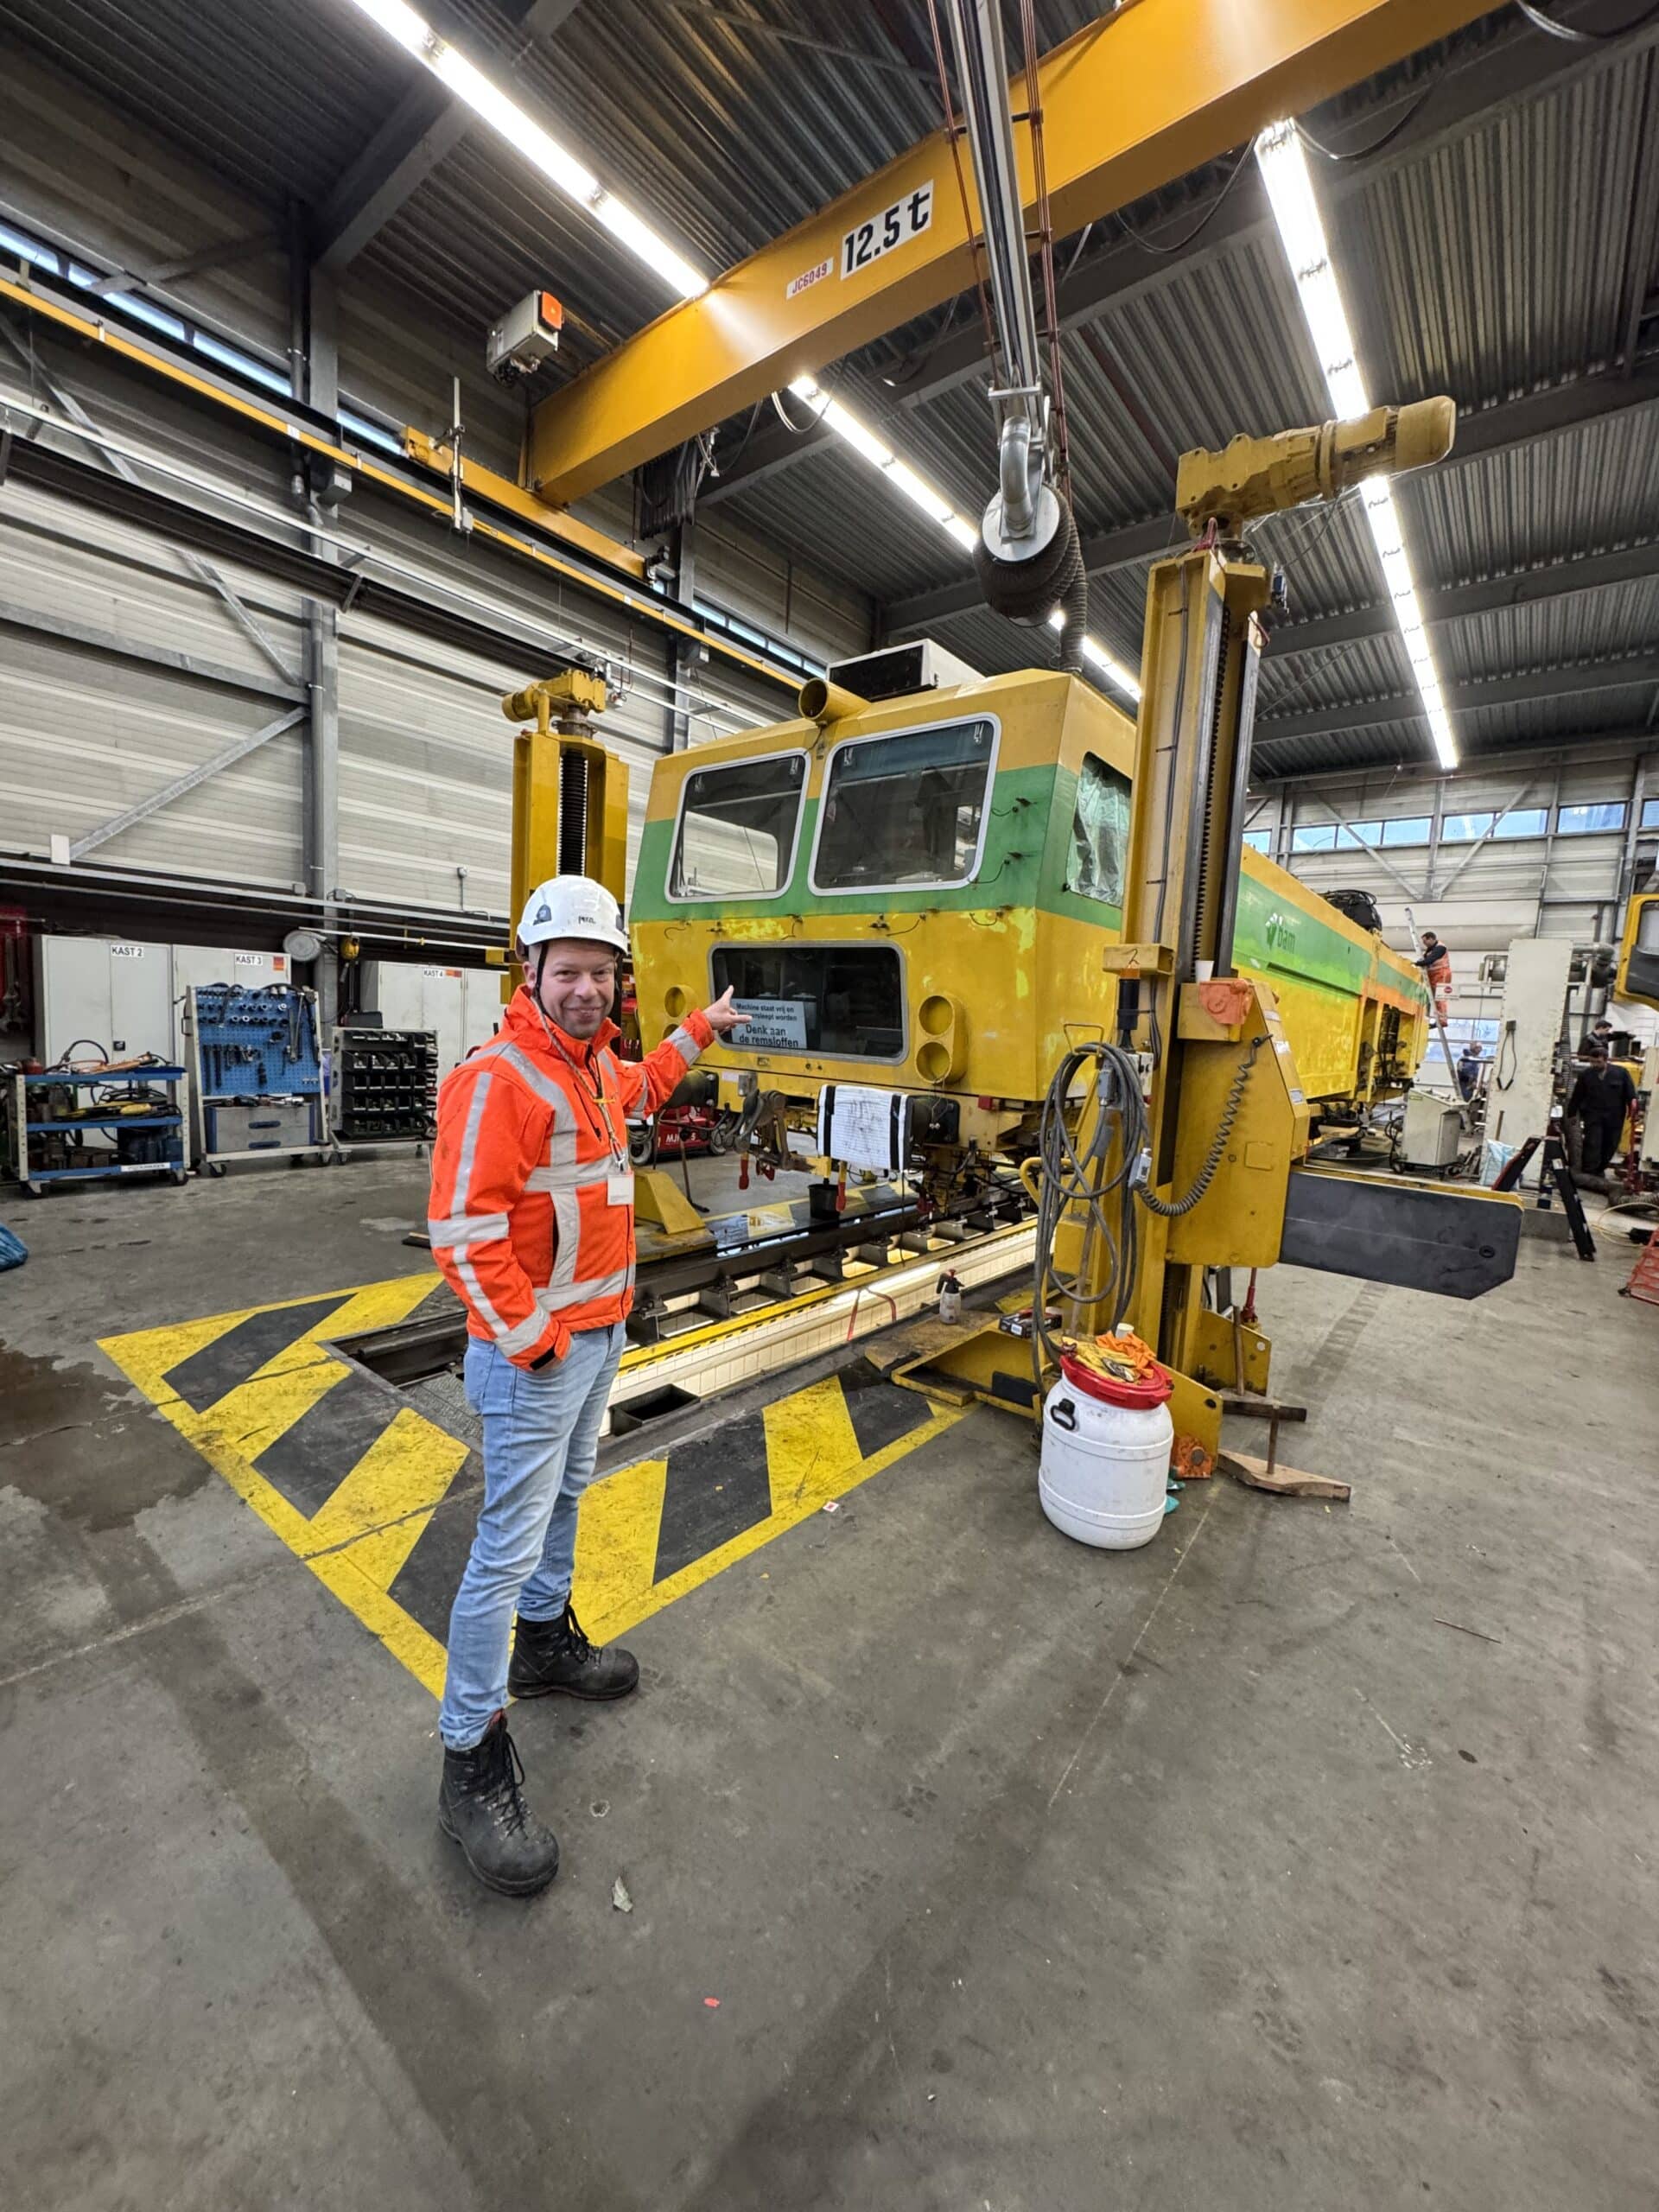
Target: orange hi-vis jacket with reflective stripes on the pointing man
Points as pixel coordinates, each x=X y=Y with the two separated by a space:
x=523 y=1224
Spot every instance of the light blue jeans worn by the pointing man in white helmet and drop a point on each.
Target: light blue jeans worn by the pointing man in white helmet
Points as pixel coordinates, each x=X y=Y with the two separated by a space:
x=541 y=1443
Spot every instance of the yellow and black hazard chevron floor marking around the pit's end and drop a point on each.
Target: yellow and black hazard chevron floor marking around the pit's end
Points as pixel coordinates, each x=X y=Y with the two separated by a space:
x=353 y=1479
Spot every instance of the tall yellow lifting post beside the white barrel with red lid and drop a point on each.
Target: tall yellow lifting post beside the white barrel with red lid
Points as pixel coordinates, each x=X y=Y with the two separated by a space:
x=1227 y=1118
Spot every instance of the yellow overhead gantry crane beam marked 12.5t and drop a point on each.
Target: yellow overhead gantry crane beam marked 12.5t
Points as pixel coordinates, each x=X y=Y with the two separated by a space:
x=1127 y=105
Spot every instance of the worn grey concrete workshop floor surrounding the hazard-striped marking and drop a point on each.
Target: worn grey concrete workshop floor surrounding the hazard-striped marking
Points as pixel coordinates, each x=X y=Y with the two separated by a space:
x=1027 y=1879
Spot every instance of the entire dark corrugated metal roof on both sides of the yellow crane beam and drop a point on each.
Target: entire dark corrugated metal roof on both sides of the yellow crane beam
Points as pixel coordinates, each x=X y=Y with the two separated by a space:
x=1494 y=262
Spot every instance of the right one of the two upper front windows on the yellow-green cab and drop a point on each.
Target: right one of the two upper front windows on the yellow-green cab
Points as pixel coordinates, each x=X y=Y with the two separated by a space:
x=906 y=811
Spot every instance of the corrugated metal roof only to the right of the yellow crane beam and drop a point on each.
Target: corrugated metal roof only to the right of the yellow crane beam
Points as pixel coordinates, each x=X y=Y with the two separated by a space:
x=1490 y=269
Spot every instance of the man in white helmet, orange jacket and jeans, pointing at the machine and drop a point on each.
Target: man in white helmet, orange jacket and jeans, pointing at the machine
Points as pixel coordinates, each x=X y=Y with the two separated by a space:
x=532 y=1224
